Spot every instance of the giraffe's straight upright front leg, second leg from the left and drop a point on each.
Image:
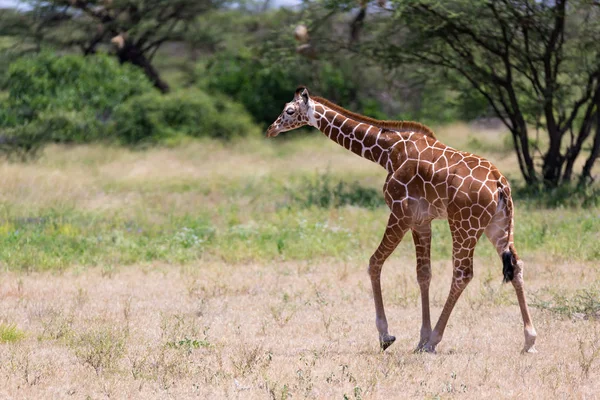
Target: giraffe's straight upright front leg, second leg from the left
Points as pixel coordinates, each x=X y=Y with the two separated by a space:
x=422 y=240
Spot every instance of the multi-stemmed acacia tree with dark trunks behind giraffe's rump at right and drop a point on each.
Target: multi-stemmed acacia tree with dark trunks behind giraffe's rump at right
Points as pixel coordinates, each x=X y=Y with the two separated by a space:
x=536 y=62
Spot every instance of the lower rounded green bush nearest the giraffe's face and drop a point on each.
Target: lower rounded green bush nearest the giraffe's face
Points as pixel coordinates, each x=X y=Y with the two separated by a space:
x=153 y=118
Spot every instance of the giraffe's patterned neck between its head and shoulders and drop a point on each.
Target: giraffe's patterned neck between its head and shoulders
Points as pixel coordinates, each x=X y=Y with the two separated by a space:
x=361 y=138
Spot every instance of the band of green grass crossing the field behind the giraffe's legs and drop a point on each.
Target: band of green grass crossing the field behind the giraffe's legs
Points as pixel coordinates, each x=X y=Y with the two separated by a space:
x=60 y=238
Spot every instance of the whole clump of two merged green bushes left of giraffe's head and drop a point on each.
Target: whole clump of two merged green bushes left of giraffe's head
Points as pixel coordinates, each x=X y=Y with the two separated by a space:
x=75 y=99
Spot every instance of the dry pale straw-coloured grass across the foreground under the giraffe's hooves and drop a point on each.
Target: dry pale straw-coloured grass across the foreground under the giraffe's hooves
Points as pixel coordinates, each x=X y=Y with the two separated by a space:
x=286 y=330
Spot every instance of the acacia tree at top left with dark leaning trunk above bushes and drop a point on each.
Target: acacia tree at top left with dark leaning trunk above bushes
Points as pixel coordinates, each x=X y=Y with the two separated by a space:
x=137 y=28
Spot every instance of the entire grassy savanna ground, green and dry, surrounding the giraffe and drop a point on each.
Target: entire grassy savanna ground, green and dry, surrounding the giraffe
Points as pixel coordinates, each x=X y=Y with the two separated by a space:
x=239 y=271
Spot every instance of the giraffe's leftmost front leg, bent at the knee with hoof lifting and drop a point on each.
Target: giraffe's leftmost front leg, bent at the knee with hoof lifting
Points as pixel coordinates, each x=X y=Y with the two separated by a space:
x=391 y=238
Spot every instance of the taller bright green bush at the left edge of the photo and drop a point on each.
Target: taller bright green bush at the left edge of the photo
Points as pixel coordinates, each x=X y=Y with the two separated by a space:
x=63 y=99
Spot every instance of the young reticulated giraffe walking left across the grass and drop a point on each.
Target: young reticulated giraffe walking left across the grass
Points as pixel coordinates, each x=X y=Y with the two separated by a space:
x=426 y=180
